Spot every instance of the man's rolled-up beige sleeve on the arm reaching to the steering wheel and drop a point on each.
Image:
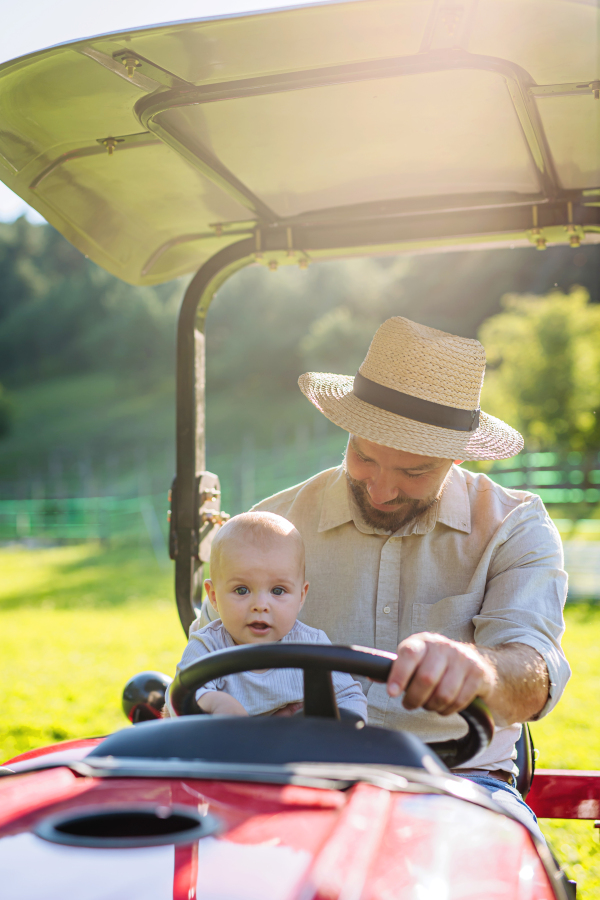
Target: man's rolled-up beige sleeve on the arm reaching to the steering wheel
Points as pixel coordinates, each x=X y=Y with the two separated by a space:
x=526 y=594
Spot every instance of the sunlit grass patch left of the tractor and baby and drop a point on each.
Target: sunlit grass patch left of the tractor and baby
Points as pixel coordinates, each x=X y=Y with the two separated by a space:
x=77 y=622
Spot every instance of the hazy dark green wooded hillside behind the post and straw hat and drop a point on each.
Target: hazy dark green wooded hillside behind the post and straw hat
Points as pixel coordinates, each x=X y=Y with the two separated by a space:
x=87 y=362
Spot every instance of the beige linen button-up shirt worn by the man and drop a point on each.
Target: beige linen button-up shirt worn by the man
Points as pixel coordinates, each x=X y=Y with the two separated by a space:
x=483 y=565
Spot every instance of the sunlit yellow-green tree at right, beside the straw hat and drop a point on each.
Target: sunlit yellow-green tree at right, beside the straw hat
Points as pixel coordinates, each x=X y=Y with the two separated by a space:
x=544 y=369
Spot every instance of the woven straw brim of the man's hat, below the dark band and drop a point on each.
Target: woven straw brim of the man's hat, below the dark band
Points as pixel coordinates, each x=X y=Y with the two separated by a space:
x=334 y=397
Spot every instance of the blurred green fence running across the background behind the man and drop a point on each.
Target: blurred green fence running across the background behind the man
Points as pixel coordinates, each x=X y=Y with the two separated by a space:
x=255 y=473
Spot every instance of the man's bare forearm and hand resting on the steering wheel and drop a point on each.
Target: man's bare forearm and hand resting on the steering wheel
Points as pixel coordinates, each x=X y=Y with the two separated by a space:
x=445 y=676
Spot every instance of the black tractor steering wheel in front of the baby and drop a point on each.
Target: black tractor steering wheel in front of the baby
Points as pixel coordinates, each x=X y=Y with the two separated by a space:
x=317 y=662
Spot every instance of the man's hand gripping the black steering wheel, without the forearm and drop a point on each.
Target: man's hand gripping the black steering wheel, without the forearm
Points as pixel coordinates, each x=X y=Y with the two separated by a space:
x=438 y=674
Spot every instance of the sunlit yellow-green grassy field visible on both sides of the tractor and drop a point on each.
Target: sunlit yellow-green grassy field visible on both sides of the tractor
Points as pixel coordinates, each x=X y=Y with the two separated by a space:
x=78 y=621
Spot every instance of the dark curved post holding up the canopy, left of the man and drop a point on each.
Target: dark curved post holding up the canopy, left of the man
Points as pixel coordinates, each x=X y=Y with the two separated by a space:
x=190 y=427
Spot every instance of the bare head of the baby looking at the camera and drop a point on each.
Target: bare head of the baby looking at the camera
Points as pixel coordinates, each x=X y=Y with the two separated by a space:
x=257 y=582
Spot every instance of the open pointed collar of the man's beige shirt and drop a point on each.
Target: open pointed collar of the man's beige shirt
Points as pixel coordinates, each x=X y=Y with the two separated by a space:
x=452 y=509
